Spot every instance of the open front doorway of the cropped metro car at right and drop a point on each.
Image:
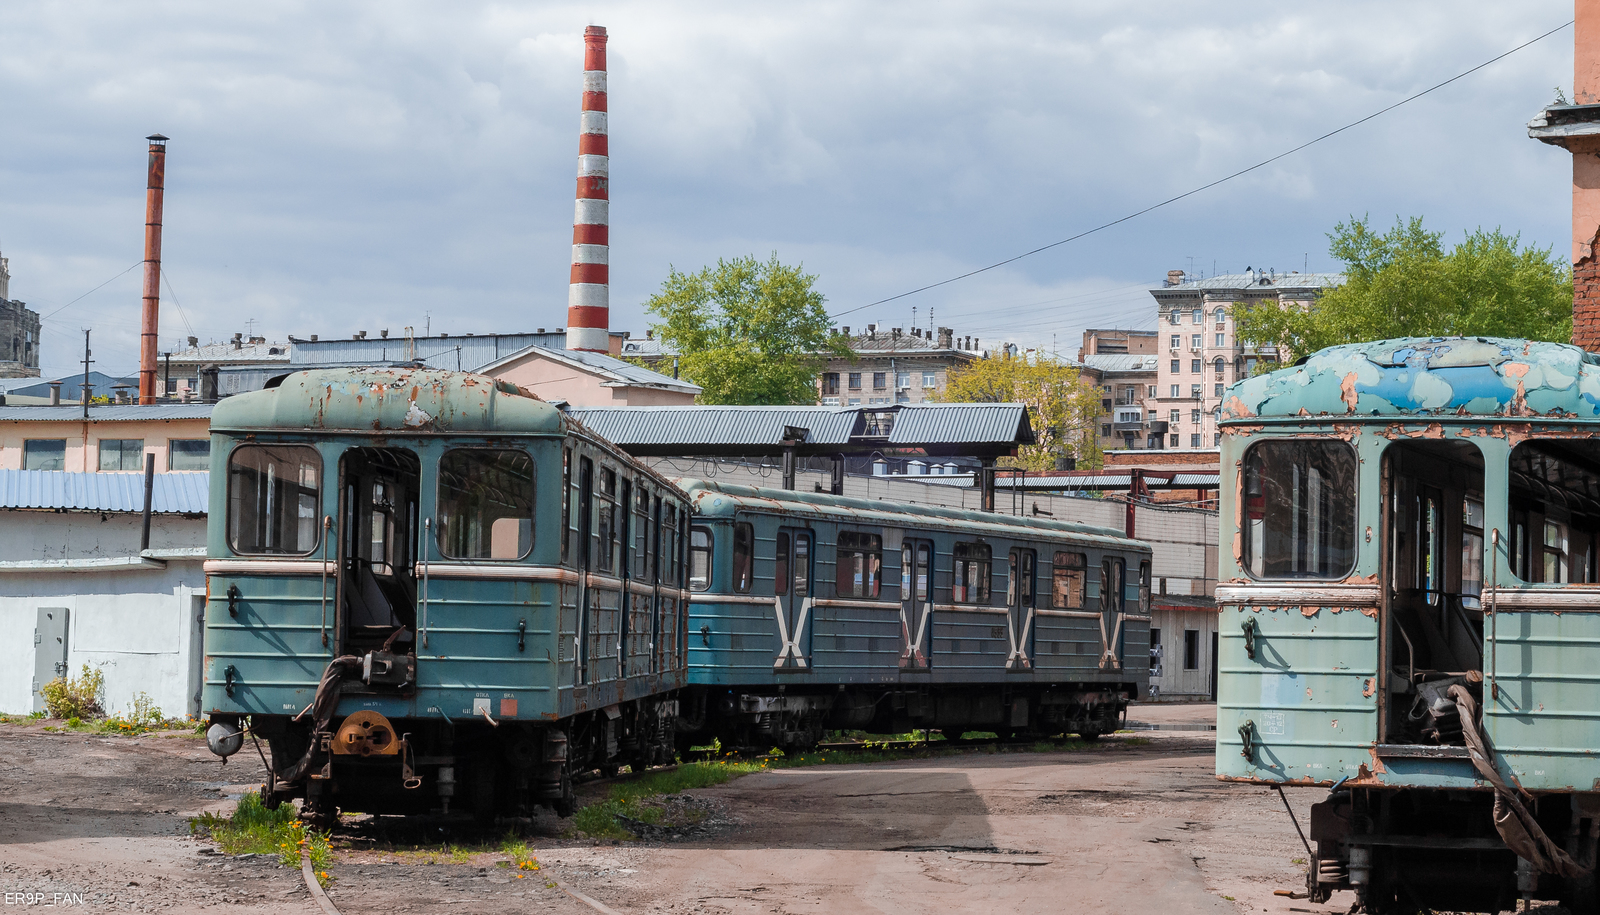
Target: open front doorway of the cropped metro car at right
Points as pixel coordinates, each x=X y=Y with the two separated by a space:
x=1433 y=621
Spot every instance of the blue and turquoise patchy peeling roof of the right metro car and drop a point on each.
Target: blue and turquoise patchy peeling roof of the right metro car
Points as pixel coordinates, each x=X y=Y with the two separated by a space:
x=1425 y=378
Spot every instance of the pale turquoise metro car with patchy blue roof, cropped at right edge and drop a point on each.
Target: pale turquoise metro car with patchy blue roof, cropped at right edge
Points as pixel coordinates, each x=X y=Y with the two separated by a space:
x=1410 y=615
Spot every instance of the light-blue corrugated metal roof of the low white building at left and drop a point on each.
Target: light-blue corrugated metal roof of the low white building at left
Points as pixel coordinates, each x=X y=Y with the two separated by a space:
x=172 y=493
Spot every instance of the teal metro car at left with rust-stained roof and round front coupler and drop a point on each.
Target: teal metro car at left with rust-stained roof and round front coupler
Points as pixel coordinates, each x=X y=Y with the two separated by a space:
x=433 y=589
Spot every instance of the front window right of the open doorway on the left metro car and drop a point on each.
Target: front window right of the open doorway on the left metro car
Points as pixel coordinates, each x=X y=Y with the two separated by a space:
x=486 y=505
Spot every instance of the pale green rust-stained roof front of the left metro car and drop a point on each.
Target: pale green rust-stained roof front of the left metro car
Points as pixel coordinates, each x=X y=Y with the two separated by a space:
x=390 y=401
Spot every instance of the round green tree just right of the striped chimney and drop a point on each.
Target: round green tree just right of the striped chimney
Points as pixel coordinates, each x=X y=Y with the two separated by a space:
x=748 y=332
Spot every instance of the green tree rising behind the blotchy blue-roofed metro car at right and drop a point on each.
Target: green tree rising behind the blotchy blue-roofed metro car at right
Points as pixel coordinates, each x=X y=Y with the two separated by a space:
x=1406 y=284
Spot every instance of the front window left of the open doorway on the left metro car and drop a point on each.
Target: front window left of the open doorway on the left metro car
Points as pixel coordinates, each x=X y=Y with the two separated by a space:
x=273 y=500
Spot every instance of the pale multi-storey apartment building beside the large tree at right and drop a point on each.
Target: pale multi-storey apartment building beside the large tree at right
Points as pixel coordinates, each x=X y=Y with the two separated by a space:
x=1201 y=353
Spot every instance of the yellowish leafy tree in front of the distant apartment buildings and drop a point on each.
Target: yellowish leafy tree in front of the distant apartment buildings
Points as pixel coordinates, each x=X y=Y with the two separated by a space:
x=1063 y=409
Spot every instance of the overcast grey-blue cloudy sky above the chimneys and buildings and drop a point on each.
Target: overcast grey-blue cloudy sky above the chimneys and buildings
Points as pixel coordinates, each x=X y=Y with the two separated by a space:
x=345 y=167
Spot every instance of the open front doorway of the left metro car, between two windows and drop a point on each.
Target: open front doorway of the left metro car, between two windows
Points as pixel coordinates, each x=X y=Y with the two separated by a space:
x=378 y=524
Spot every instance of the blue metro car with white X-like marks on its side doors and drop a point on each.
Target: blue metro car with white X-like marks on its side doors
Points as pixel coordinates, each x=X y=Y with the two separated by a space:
x=814 y=612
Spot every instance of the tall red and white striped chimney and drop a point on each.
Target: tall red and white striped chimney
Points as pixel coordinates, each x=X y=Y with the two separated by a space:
x=590 y=297
